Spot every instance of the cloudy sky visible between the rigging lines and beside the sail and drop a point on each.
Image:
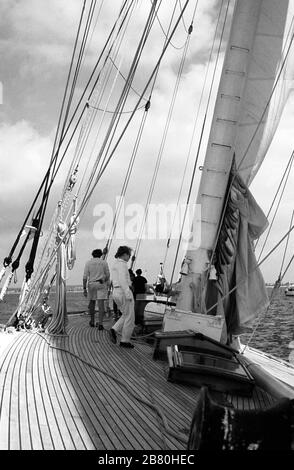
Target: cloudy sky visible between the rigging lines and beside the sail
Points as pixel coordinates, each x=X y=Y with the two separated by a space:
x=36 y=43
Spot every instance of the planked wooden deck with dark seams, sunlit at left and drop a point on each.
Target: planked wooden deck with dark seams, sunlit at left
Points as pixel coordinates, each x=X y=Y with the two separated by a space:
x=96 y=396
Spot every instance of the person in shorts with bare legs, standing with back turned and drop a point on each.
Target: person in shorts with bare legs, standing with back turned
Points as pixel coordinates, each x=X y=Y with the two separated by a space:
x=96 y=275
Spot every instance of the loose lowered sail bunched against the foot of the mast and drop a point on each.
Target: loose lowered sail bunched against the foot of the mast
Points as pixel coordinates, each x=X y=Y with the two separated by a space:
x=239 y=288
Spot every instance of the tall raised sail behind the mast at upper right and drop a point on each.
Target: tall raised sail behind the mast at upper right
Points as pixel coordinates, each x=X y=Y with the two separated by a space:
x=268 y=84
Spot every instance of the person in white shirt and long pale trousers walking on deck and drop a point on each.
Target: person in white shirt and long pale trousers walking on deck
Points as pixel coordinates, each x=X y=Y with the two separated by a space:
x=123 y=297
